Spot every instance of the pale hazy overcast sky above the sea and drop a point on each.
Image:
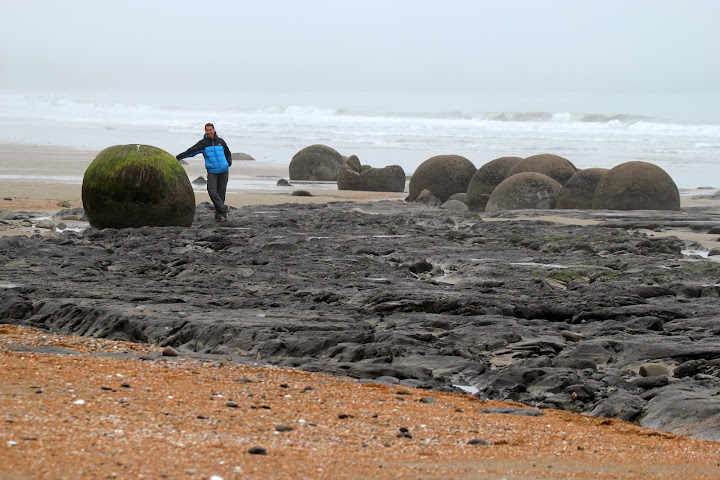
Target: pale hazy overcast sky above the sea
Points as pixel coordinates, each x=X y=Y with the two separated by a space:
x=361 y=45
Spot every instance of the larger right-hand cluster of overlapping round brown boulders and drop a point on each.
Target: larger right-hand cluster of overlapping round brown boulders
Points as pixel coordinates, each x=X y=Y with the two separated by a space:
x=544 y=181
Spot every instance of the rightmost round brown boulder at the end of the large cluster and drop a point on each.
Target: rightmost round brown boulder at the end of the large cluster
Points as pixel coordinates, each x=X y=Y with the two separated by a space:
x=637 y=186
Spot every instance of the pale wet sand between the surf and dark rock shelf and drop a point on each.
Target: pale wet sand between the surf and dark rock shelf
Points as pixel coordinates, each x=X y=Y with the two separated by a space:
x=258 y=186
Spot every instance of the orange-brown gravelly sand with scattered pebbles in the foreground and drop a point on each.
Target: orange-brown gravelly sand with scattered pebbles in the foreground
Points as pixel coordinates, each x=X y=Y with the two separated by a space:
x=86 y=415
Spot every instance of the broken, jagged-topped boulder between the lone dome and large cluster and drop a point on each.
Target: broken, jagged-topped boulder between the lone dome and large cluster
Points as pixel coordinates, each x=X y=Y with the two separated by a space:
x=353 y=176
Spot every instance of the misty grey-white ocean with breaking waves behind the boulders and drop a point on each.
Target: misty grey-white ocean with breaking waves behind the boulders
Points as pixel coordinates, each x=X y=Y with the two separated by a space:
x=680 y=134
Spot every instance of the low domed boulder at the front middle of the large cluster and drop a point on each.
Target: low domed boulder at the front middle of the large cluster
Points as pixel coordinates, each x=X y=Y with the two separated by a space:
x=524 y=190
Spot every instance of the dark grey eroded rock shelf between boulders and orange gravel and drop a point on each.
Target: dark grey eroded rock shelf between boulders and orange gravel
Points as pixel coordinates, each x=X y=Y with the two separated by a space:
x=408 y=293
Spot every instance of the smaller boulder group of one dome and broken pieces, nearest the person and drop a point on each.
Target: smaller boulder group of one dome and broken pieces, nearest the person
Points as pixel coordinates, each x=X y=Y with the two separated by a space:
x=323 y=163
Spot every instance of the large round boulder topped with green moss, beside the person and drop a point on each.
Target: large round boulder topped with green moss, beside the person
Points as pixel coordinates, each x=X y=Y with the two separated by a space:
x=136 y=186
